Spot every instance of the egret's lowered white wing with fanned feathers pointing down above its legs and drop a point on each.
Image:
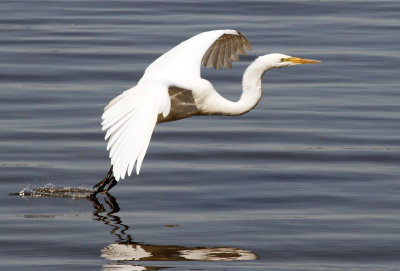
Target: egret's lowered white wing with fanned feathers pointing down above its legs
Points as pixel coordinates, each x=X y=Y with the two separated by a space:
x=129 y=120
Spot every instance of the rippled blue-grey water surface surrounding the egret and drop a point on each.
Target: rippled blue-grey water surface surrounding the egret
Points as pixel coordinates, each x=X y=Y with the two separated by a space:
x=309 y=180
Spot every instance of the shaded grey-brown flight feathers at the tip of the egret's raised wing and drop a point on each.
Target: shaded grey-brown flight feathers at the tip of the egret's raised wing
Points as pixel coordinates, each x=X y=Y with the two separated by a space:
x=225 y=49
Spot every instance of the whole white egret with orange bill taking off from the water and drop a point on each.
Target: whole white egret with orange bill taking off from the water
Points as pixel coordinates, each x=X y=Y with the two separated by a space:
x=172 y=89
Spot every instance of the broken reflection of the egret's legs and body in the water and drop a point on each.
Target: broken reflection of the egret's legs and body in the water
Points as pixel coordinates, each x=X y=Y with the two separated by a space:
x=125 y=249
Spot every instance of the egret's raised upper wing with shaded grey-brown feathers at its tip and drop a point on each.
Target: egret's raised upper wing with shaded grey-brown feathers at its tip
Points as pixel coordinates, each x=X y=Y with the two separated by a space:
x=217 y=48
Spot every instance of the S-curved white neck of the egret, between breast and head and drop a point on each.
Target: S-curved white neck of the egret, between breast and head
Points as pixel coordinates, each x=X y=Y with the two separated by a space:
x=251 y=93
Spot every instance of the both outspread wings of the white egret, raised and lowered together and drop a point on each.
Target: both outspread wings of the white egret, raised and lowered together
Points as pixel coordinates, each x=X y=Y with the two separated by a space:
x=130 y=118
